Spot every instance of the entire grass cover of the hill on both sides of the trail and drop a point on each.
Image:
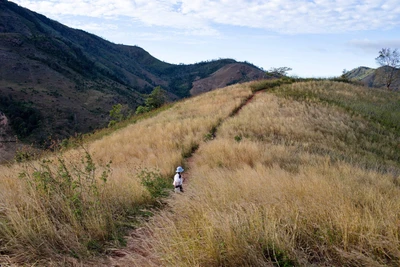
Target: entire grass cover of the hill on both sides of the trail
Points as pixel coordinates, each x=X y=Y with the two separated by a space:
x=303 y=174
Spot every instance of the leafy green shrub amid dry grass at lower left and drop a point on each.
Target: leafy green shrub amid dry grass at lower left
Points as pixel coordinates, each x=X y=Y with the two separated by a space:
x=66 y=199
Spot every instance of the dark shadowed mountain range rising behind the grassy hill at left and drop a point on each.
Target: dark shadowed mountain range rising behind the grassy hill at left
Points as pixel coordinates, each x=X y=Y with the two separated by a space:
x=56 y=81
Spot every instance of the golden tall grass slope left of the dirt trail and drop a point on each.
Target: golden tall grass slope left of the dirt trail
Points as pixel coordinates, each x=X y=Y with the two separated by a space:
x=73 y=203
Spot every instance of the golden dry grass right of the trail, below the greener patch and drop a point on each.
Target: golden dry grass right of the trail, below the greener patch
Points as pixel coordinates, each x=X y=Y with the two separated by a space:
x=292 y=190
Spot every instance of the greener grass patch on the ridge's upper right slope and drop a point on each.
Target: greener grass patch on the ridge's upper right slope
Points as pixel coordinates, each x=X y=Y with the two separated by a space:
x=372 y=133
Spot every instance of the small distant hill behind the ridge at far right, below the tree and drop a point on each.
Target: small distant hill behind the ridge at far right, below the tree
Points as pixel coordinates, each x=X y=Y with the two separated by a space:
x=371 y=77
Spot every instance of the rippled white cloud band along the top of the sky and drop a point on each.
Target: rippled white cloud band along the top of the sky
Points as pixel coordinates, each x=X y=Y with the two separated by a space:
x=283 y=16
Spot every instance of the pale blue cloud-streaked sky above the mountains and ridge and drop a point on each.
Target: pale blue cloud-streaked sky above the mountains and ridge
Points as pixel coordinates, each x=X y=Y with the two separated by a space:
x=317 y=38
